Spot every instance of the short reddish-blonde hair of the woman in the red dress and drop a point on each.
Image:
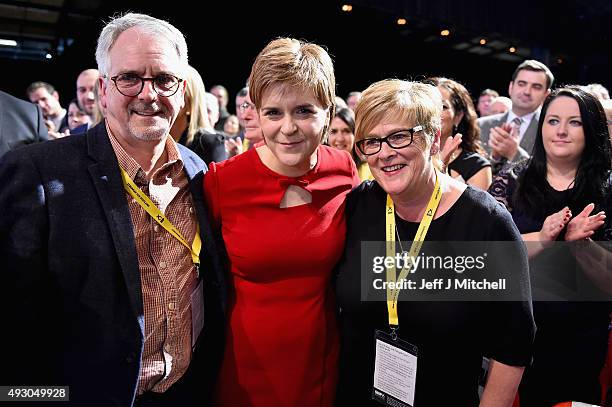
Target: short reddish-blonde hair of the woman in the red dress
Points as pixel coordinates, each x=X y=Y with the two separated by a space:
x=295 y=63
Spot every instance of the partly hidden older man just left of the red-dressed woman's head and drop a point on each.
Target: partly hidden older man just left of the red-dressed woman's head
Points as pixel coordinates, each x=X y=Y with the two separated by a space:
x=249 y=123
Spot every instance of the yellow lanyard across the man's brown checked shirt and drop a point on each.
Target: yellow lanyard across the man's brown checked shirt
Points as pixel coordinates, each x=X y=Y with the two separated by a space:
x=148 y=205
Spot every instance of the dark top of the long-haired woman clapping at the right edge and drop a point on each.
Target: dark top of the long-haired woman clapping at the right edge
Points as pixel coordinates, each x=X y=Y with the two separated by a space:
x=569 y=309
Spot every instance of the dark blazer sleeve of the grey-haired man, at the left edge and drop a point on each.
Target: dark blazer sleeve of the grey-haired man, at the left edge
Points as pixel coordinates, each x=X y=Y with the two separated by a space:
x=28 y=331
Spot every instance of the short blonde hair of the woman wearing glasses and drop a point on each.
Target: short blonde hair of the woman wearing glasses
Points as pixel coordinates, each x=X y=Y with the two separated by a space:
x=413 y=102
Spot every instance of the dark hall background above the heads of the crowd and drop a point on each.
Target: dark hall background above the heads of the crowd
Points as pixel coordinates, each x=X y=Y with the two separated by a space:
x=366 y=44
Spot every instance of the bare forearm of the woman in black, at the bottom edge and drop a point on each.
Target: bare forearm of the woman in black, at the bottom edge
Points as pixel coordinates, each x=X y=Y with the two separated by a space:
x=502 y=384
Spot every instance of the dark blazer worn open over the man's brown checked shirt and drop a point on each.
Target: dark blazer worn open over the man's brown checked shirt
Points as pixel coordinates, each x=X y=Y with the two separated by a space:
x=70 y=282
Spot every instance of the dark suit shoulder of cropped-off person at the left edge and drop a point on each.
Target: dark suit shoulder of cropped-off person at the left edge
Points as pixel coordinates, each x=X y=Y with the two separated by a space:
x=20 y=123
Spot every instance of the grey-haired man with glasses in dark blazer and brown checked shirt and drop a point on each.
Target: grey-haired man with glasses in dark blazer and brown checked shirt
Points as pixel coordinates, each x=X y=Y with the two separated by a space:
x=105 y=287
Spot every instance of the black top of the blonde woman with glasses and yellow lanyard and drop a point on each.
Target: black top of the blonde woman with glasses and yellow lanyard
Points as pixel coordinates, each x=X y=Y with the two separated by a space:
x=451 y=337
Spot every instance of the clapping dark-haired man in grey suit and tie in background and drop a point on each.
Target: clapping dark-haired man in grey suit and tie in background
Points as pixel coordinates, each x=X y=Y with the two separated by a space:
x=509 y=137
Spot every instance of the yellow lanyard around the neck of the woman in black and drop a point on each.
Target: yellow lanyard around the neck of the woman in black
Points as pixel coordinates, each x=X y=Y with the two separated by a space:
x=432 y=206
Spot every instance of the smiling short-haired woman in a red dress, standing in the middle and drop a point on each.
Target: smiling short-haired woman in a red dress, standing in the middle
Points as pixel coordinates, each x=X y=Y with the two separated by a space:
x=280 y=210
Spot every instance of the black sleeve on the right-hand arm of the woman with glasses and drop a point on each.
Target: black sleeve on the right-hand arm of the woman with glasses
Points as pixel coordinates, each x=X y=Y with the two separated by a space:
x=509 y=328
